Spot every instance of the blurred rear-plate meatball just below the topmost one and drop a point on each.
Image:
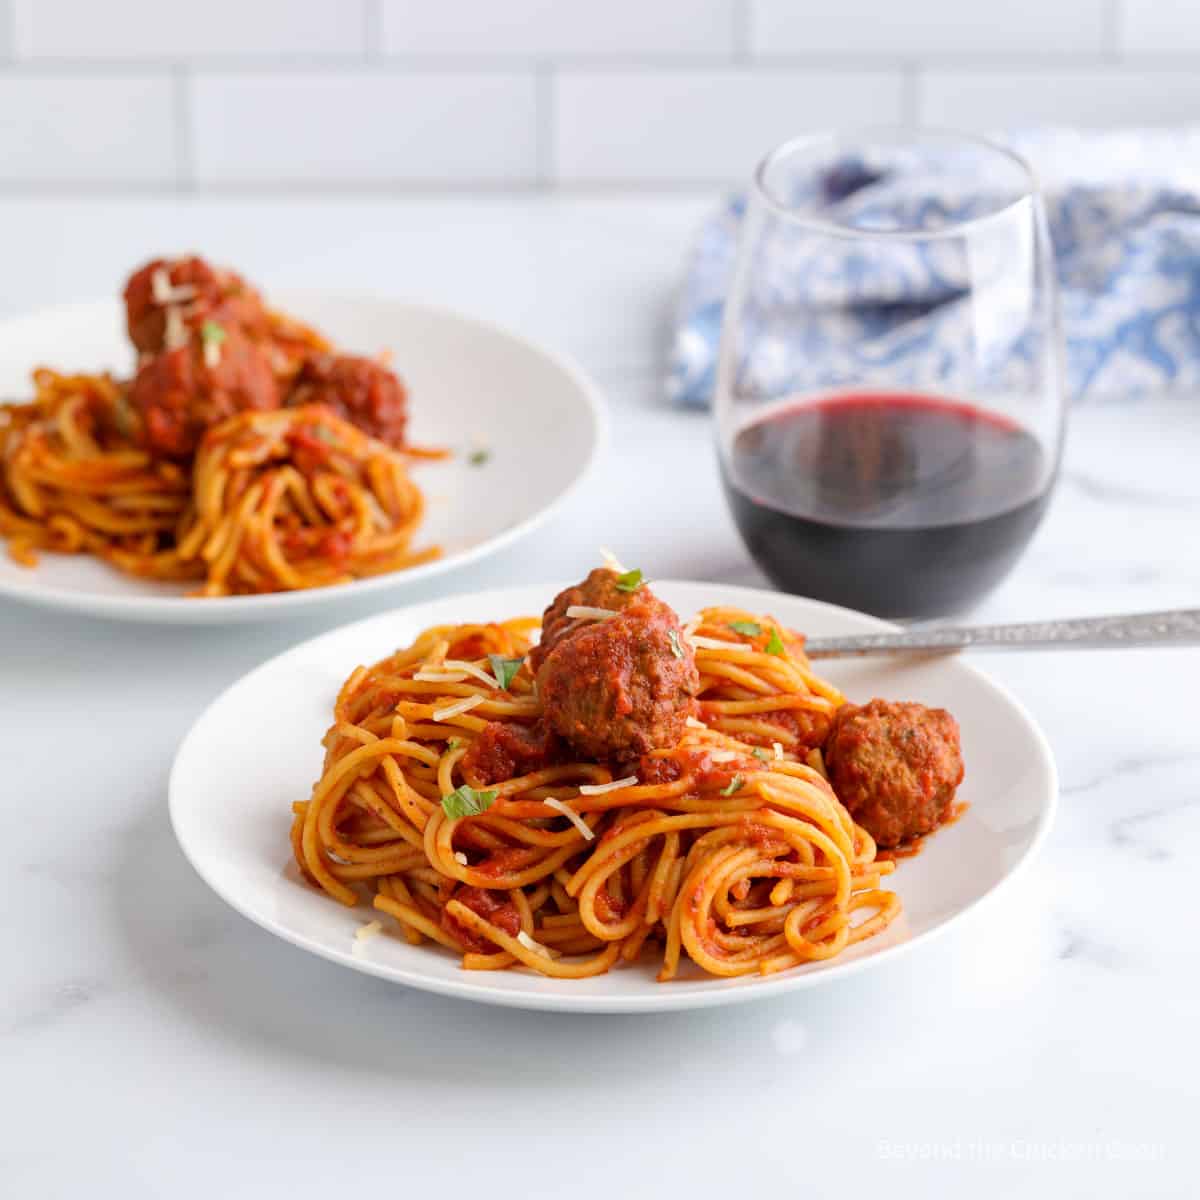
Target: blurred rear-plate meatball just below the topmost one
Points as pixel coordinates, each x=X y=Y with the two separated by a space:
x=179 y=394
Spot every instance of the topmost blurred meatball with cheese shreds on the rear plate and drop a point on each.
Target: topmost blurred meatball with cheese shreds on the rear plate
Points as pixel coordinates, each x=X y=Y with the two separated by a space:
x=205 y=295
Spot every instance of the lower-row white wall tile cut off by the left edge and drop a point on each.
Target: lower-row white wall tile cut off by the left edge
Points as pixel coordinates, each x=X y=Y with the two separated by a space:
x=87 y=130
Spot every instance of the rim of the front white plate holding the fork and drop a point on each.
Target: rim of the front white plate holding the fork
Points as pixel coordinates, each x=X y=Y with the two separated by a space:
x=667 y=999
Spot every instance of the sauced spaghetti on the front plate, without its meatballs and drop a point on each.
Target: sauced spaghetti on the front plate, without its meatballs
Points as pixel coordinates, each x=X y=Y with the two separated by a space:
x=728 y=848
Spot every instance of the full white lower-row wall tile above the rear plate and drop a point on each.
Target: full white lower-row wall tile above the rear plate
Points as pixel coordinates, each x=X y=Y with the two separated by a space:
x=341 y=129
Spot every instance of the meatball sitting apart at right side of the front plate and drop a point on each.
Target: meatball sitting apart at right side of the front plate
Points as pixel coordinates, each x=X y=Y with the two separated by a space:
x=895 y=767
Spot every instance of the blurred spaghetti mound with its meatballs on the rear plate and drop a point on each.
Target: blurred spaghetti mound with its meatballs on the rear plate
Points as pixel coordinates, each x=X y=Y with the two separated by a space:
x=213 y=466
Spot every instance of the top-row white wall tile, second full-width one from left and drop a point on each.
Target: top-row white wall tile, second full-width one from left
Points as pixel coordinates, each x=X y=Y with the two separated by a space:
x=544 y=28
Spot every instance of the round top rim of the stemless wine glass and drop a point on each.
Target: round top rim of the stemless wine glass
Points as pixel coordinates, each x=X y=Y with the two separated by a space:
x=1033 y=189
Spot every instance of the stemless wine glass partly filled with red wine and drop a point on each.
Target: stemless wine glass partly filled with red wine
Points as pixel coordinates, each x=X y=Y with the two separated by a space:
x=890 y=400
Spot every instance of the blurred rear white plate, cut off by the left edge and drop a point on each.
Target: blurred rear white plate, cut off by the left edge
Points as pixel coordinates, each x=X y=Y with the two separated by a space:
x=472 y=385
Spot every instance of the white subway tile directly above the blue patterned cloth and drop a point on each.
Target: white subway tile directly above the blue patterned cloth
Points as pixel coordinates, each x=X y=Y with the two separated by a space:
x=1108 y=97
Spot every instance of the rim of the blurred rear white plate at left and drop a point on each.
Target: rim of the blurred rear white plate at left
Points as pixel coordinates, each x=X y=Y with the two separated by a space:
x=176 y=610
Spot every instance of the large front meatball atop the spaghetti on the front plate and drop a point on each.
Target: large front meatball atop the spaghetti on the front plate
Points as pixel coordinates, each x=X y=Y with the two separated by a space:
x=622 y=687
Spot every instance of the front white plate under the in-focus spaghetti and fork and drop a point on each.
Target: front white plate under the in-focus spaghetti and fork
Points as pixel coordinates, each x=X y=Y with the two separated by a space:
x=257 y=749
